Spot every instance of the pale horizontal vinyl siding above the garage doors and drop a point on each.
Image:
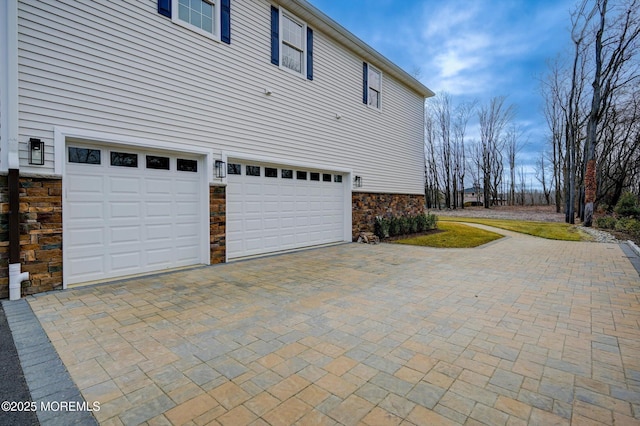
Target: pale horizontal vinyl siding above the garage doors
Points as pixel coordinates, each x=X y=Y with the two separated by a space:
x=112 y=67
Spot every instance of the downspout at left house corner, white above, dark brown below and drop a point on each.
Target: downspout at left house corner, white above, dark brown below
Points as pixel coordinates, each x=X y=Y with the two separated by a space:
x=9 y=89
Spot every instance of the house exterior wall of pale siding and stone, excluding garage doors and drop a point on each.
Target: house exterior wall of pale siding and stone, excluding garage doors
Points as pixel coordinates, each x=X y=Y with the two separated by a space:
x=120 y=73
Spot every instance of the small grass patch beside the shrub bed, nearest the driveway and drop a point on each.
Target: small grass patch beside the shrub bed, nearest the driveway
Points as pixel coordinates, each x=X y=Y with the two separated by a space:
x=453 y=235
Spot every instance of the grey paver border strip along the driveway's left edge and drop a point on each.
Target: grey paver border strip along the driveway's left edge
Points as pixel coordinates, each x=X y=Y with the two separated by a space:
x=47 y=378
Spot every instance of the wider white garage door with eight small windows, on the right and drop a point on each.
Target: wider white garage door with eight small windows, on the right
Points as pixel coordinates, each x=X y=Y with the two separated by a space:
x=272 y=208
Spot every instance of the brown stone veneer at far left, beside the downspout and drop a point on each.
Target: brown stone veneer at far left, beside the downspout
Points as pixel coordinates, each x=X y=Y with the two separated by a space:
x=40 y=234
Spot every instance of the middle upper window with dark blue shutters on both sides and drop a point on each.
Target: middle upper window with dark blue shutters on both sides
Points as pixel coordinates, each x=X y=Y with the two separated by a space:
x=291 y=43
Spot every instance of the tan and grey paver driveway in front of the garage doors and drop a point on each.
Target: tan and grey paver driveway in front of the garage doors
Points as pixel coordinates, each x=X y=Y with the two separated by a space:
x=523 y=330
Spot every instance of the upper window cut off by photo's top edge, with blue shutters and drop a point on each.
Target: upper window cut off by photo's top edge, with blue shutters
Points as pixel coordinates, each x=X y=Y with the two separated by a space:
x=211 y=18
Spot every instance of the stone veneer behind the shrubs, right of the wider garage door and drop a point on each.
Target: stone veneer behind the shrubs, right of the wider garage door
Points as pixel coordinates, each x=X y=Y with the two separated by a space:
x=366 y=206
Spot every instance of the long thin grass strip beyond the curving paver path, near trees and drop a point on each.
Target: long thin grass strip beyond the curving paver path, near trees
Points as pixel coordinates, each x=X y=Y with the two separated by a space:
x=549 y=230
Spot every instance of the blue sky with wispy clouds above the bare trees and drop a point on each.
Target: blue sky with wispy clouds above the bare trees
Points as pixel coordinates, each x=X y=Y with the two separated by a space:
x=470 y=49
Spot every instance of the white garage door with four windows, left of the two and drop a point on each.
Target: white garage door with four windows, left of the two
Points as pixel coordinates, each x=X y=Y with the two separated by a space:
x=129 y=212
